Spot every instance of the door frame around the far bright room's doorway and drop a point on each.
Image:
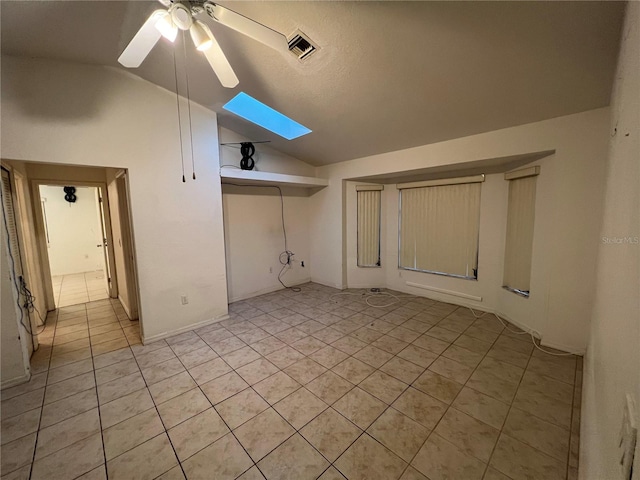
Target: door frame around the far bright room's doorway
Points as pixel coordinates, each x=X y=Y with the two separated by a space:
x=40 y=232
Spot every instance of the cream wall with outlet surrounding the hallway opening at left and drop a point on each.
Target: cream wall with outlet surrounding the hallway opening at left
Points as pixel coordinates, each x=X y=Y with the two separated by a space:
x=75 y=114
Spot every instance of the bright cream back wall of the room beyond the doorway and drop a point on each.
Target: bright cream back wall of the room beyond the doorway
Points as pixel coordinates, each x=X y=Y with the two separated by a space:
x=74 y=230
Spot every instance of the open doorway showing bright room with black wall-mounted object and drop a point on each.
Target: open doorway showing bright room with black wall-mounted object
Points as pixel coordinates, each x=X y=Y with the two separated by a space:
x=75 y=234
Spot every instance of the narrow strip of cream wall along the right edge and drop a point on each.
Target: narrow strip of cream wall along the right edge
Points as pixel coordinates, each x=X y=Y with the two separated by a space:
x=612 y=363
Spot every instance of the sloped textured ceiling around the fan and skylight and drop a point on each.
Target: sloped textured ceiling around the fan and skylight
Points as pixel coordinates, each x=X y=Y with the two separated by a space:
x=389 y=75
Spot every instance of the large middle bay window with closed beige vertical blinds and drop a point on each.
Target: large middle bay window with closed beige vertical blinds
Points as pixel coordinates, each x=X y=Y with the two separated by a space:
x=439 y=225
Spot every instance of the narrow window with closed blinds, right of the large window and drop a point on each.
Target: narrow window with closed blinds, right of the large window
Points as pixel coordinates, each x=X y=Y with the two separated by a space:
x=520 y=220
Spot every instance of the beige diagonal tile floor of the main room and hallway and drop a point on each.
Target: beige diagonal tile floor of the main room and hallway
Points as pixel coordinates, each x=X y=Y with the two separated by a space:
x=299 y=386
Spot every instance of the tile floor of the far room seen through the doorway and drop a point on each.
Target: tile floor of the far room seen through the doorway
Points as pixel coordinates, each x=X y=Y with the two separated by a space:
x=79 y=288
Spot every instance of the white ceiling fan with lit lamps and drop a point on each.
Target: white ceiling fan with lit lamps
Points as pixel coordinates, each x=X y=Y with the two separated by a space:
x=184 y=16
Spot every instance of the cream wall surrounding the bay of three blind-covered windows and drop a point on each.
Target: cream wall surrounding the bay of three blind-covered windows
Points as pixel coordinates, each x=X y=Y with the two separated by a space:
x=568 y=209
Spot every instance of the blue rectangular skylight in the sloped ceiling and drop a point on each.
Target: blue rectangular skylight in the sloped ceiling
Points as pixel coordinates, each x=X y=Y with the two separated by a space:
x=257 y=112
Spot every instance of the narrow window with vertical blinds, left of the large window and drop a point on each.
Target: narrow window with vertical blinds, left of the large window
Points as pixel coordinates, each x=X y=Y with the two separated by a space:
x=369 y=199
